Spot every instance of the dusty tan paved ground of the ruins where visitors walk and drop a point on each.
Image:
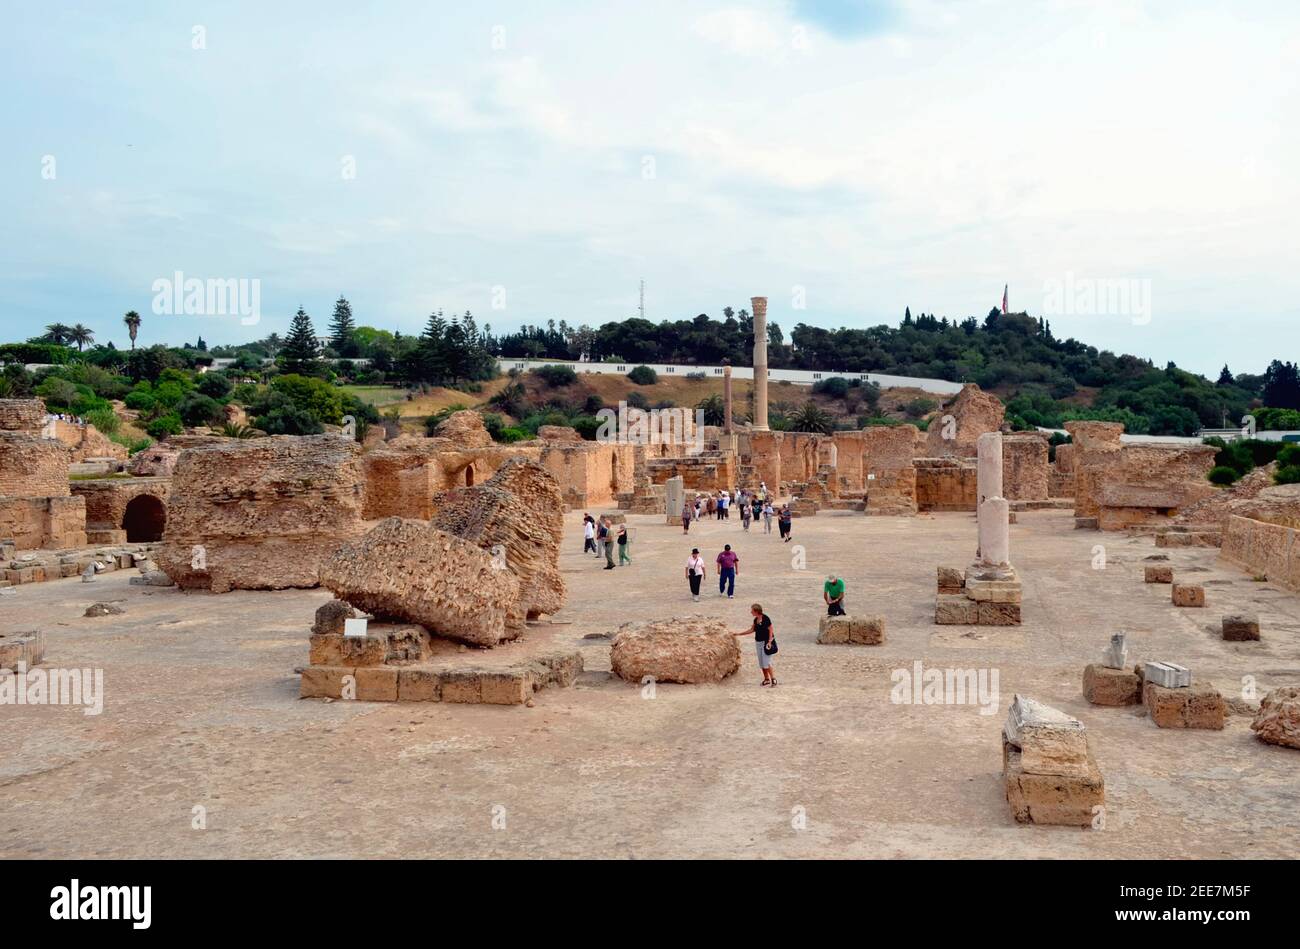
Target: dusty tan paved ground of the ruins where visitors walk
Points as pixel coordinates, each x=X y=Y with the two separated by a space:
x=203 y=710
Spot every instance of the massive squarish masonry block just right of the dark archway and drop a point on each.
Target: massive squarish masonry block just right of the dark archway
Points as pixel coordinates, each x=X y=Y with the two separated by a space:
x=261 y=514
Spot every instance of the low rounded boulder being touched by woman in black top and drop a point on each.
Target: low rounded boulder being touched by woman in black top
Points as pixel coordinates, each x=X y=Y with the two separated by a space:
x=694 y=649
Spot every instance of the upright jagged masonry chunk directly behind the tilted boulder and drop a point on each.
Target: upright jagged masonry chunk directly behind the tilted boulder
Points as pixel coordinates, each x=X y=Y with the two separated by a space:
x=519 y=514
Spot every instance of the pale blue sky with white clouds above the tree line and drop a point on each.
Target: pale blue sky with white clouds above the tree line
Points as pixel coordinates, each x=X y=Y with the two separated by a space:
x=1125 y=168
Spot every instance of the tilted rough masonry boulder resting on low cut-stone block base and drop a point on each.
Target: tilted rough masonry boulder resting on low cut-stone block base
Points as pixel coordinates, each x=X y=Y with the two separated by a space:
x=408 y=570
